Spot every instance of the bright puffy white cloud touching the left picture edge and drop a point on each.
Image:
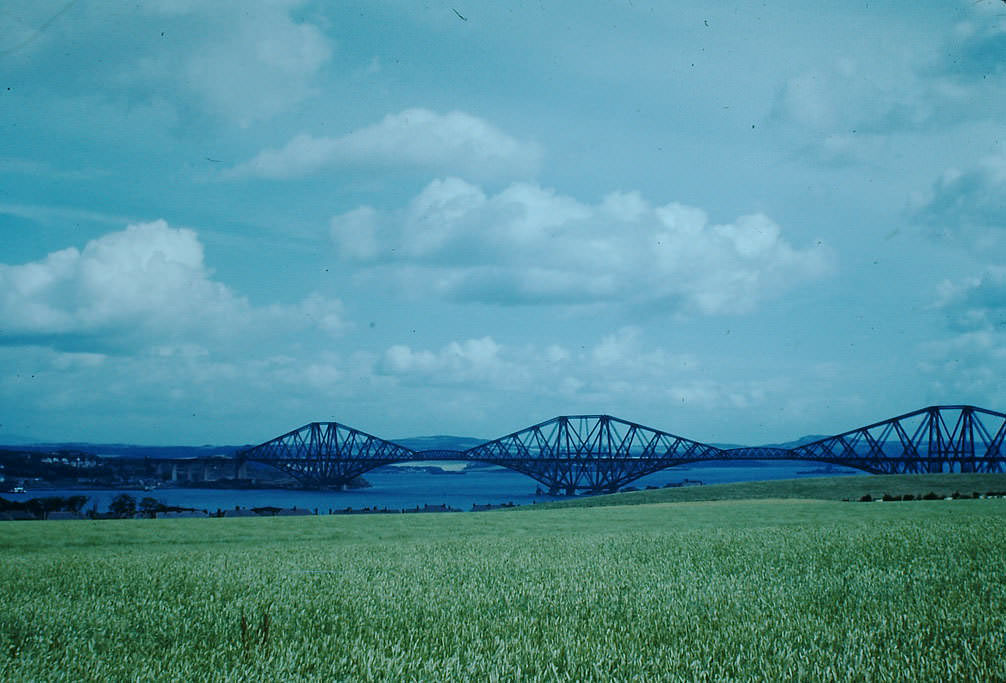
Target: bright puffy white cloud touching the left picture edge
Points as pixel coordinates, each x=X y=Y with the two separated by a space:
x=146 y=285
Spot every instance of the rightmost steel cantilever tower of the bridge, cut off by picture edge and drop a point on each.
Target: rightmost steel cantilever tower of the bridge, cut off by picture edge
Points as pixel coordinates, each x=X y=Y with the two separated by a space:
x=932 y=440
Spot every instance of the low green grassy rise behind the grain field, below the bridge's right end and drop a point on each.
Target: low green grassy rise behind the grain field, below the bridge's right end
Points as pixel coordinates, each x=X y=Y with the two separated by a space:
x=818 y=488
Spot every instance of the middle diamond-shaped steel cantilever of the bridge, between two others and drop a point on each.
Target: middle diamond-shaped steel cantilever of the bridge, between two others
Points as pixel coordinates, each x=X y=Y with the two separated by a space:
x=594 y=453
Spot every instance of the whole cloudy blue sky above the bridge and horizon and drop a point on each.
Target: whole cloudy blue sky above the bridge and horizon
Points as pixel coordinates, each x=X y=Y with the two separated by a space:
x=739 y=222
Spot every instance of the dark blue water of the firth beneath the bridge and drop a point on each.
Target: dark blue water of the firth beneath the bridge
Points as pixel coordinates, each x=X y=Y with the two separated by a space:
x=404 y=490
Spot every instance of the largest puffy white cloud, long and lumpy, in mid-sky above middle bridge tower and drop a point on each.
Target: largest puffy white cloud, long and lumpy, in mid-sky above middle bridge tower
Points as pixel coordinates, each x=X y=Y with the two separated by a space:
x=531 y=246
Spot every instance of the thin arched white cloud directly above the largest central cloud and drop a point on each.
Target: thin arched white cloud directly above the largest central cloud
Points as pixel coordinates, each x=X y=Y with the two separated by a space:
x=454 y=142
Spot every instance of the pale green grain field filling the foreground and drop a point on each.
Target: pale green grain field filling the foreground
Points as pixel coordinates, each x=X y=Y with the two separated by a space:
x=771 y=590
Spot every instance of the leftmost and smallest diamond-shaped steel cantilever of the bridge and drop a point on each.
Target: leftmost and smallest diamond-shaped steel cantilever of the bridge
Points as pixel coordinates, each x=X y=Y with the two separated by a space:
x=326 y=454
